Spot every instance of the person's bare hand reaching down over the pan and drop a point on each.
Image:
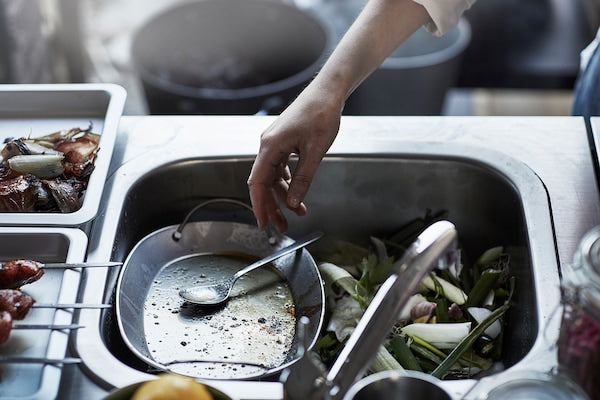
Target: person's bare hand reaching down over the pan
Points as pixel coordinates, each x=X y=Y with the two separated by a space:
x=307 y=129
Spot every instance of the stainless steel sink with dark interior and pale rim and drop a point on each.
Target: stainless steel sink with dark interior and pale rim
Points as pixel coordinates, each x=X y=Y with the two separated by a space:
x=491 y=198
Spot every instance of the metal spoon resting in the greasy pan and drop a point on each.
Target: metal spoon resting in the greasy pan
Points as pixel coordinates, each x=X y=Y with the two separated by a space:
x=214 y=294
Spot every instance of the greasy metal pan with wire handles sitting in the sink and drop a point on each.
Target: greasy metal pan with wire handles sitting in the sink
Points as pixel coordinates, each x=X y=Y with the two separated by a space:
x=252 y=335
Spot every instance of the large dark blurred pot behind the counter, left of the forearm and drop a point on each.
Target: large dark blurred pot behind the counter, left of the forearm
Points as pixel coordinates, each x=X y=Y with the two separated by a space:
x=228 y=56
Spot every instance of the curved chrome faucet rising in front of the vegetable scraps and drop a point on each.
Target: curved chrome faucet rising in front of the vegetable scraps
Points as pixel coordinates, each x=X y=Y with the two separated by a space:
x=306 y=379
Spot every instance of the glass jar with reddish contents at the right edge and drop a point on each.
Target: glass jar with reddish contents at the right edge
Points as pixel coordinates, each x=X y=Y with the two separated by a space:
x=579 y=339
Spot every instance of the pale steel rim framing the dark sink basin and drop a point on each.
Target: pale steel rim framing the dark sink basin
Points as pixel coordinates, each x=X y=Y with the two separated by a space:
x=504 y=164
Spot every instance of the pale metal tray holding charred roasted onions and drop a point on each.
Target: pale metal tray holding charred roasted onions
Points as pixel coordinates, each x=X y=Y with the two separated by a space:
x=37 y=110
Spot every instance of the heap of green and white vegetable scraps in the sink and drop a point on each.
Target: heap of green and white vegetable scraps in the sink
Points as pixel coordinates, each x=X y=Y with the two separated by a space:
x=451 y=328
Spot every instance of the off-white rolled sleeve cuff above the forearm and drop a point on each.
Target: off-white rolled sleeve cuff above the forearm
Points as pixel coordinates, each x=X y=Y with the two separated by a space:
x=444 y=13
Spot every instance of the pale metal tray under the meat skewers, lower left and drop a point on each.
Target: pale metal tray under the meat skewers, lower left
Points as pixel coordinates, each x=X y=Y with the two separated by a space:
x=45 y=244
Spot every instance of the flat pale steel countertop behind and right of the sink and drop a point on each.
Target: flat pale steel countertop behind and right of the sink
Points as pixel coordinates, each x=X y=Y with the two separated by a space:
x=557 y=149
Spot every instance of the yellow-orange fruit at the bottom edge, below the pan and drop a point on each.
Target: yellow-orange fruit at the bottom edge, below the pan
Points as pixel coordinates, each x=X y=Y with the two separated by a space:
x=172 y=387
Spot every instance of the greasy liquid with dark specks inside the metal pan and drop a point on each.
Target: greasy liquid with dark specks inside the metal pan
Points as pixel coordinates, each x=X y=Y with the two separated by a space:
x=246 y=336
